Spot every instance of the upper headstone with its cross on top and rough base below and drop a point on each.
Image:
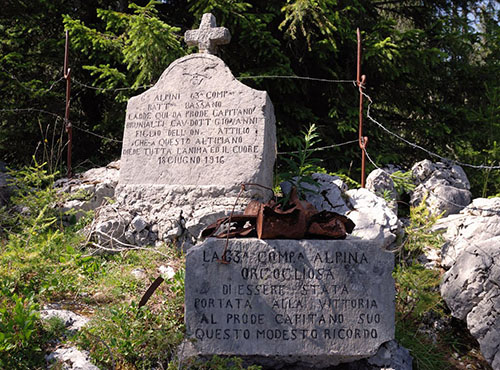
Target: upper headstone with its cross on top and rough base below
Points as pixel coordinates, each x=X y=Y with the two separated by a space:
x=193 y=138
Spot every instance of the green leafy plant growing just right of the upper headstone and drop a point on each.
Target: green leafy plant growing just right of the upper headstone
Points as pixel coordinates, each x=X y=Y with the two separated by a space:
x=302 y=164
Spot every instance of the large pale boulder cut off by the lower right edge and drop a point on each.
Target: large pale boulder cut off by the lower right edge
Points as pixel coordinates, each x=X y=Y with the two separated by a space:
x=471 y=285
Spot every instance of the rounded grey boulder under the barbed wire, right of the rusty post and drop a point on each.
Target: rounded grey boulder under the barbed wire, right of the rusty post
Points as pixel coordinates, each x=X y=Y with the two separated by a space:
x=446 y=187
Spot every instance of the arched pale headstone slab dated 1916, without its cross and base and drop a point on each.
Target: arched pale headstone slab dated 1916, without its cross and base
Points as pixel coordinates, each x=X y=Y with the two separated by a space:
x=198 y=126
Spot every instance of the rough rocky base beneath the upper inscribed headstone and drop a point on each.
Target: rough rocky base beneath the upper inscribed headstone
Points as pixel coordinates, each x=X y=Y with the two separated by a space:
x=145 y=214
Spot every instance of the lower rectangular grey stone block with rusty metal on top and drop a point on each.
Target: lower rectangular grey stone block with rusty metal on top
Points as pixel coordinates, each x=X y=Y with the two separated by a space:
x=317 y=302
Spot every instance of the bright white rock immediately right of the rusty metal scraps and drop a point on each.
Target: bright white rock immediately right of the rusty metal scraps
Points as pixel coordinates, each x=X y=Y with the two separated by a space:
x=373 y=218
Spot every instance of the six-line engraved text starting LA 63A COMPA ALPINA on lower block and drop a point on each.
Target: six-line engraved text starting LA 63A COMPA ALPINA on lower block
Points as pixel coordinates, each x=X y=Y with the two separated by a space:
x=292 y=294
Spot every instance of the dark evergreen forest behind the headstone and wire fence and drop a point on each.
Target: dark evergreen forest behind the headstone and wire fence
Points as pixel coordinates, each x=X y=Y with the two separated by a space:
x=432 y=71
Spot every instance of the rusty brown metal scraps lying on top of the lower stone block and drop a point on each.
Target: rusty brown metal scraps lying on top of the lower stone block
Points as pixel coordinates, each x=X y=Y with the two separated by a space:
x=271 y=220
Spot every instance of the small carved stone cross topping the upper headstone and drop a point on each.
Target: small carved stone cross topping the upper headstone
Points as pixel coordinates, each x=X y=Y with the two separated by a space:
x=208 y=36
